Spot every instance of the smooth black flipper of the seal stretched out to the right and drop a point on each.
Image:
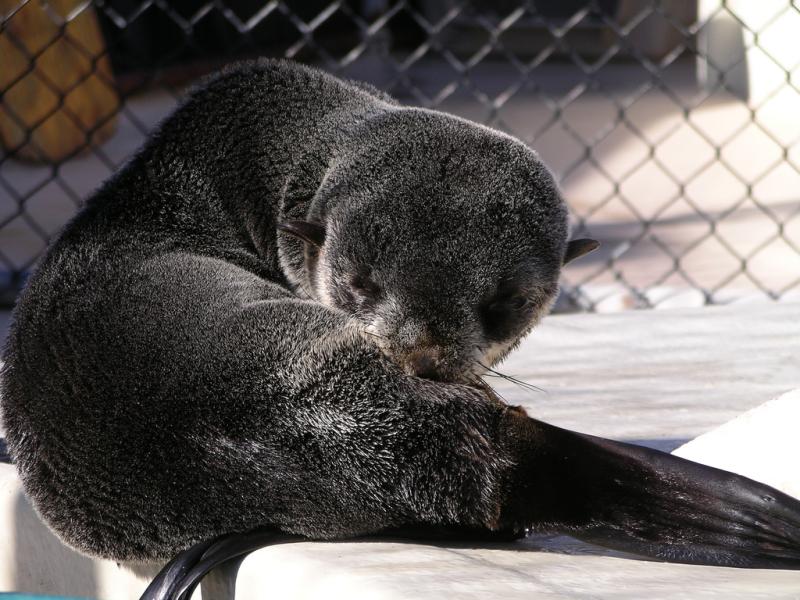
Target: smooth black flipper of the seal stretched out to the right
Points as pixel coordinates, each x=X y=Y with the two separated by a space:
x=643 y=501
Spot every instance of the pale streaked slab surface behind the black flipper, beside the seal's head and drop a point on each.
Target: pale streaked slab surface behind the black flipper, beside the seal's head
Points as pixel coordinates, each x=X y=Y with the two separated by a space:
x=656 y=375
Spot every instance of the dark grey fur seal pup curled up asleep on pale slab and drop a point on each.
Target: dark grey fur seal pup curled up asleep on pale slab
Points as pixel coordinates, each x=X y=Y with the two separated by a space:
x=275 y=314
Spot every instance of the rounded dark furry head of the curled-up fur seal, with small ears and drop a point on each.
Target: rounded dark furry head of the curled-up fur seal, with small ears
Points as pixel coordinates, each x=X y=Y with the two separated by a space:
x=443 y=239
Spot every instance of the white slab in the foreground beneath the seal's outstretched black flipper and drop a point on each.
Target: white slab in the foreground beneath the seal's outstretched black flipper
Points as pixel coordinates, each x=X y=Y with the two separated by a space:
x=533 y=569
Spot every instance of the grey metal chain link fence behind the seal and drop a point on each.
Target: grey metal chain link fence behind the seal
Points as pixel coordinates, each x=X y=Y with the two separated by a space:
x=672 y=125
